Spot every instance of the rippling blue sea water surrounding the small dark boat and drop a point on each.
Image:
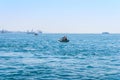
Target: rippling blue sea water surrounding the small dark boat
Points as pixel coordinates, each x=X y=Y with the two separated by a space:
x=42 y=57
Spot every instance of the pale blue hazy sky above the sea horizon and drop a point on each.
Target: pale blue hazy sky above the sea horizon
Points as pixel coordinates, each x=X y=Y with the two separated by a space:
x=56 y=16
